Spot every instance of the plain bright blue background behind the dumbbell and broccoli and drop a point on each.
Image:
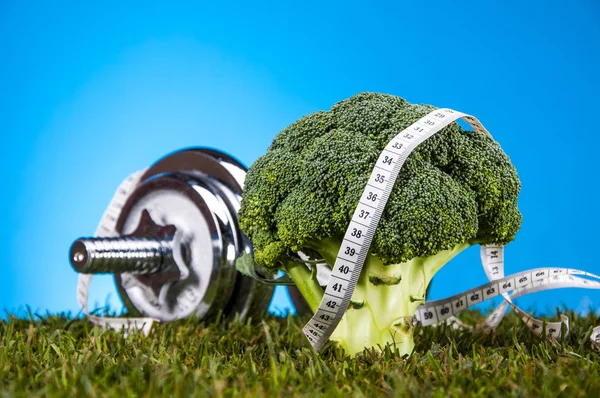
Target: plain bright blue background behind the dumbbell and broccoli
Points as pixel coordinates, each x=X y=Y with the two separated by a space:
x=90 y=93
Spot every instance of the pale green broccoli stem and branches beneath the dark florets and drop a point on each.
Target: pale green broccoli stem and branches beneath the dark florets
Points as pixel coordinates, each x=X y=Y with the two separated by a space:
x=390 y=295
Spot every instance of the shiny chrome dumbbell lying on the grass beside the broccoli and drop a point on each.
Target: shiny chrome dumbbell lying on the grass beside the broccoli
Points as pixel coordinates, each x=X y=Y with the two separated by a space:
x=178 y=242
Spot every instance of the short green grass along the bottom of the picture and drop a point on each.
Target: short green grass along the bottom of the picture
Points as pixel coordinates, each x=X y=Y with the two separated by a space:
x=59 y=356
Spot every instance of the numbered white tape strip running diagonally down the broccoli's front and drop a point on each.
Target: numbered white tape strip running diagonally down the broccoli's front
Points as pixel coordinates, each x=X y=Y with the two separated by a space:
x=360 y=232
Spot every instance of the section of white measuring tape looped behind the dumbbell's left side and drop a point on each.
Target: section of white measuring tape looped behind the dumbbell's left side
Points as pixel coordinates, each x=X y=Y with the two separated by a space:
x=107 y=228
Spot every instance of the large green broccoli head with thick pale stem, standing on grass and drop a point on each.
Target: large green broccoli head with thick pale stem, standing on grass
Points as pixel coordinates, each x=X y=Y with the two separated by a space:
x=456 y=189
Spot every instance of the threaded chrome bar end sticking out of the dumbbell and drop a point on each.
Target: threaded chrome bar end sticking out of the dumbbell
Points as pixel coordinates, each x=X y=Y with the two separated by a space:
x=140 y=256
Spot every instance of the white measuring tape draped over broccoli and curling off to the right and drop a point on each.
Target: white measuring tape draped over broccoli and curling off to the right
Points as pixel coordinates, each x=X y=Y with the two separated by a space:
x=361 y=230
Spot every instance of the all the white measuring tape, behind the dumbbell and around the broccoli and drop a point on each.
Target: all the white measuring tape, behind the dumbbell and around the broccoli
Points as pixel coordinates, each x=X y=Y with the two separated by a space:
x=346 y=272
